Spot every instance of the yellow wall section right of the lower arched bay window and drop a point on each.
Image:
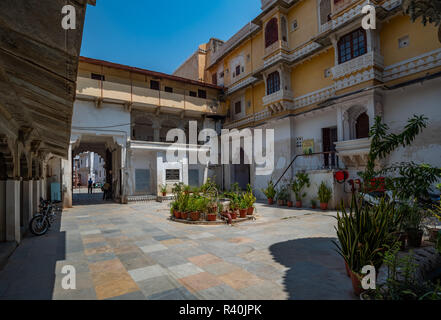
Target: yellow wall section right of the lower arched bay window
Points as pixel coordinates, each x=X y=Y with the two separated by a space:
x=310 y=75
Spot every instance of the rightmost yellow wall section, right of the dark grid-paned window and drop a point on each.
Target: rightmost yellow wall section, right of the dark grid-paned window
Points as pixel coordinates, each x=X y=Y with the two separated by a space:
x=422 y=39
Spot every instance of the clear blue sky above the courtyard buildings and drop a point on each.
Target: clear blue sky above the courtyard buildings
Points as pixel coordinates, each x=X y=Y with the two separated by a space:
x=160 y=35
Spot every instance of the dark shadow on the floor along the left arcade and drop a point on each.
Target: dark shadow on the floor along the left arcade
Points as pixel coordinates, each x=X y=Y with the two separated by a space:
x=19 y=281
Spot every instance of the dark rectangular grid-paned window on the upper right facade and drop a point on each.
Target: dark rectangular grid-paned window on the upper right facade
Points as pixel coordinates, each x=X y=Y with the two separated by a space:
x=352 y=45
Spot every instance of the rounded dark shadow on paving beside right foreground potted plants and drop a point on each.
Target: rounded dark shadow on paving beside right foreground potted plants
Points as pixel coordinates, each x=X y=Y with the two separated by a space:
x=316 y=271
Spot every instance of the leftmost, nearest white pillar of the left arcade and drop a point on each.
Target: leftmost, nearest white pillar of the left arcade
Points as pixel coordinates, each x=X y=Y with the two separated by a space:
x=13 y=210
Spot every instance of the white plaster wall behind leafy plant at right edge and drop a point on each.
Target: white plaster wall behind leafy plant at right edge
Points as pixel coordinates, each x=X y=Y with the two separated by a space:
x=402 y=104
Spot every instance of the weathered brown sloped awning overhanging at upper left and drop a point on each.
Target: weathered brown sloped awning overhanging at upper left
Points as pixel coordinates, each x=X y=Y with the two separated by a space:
x=38 y=71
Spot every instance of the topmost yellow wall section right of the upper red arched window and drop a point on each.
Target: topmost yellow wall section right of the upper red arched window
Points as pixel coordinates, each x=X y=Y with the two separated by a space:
x=305 y=13
